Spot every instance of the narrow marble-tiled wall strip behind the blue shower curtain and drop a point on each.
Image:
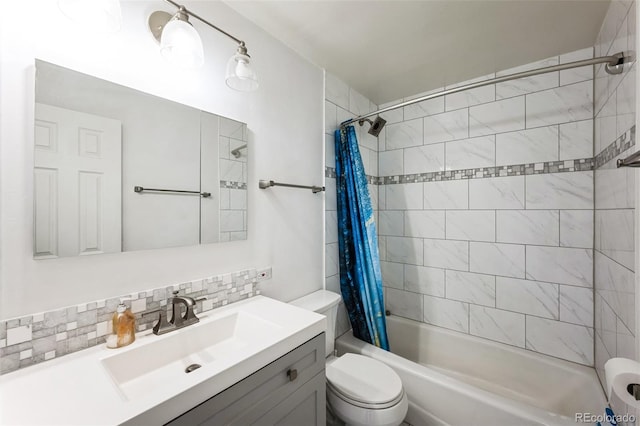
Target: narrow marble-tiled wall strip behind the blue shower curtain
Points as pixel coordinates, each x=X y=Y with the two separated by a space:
x=342 y=103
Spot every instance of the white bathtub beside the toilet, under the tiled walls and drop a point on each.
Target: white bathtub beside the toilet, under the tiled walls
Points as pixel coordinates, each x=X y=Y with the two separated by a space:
x=456 y=379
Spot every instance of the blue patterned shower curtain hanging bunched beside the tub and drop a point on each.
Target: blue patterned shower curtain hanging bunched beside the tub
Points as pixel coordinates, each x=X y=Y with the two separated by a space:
x=360 y=276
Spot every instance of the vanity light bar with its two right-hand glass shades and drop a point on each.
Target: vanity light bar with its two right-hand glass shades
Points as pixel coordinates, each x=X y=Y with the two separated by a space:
x=181 y=44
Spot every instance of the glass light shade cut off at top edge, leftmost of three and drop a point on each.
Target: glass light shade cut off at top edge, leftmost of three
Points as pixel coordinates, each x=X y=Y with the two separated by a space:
x=104 y=16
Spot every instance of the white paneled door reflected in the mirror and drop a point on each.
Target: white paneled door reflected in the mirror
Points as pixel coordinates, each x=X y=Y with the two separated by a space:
x=77 y=203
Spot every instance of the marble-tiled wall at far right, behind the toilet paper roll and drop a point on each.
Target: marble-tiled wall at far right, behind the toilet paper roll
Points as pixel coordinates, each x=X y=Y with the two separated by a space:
x=614 y=254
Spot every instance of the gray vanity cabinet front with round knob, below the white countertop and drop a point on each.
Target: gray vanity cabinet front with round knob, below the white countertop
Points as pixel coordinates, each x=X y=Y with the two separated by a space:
x=295 y=377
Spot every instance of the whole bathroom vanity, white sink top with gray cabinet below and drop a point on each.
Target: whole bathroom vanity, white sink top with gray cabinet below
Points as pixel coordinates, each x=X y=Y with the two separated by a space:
x=260 y=361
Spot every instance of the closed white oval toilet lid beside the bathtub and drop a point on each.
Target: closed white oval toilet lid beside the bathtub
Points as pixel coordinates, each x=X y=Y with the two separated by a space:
x=364 y=379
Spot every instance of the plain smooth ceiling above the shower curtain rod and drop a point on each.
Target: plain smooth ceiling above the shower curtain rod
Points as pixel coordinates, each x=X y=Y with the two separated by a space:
x=390 y=49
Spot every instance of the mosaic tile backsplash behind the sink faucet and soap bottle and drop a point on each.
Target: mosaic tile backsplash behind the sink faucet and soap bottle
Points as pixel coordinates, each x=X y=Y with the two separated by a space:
x=43 y=336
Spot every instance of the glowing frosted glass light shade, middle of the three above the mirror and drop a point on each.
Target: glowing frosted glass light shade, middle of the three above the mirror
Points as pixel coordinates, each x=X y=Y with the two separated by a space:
x=181 y=45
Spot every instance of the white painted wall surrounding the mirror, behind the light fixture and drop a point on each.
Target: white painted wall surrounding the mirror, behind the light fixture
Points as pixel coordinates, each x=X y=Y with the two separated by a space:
x=285 y=124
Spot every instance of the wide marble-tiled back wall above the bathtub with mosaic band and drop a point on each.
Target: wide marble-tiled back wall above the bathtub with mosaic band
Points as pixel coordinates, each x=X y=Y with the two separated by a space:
x=486 y=211
